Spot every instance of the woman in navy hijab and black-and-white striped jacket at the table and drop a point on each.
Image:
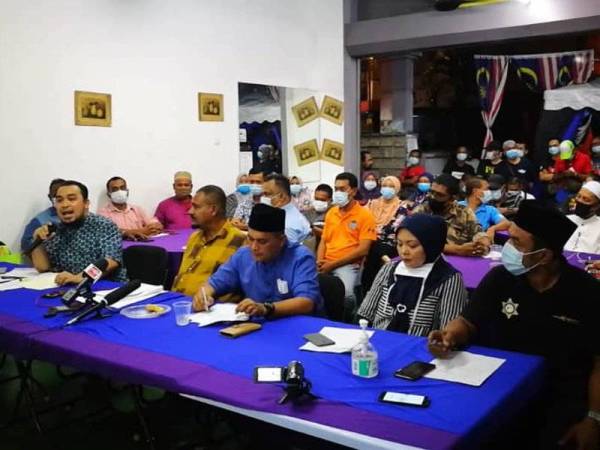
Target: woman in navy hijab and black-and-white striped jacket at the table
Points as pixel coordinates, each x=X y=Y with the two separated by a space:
x=421 y=291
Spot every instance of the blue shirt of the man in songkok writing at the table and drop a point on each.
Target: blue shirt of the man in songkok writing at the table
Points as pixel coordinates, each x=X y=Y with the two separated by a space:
x=293 y=273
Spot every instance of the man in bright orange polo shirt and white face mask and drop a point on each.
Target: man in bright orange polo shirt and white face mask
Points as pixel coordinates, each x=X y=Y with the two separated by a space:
x=347 y=237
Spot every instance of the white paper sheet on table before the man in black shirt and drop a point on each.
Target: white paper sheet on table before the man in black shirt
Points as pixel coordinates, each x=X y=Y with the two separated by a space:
x=465 y=368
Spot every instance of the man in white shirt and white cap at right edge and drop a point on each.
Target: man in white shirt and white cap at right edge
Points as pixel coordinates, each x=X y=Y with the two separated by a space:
x=586 y=237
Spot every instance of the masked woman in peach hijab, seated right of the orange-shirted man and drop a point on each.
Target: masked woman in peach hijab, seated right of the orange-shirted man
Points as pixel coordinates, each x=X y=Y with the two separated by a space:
x=389 y=213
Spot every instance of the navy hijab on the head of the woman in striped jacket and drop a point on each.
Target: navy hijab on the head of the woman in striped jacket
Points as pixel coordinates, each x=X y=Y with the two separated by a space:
x=431 y=231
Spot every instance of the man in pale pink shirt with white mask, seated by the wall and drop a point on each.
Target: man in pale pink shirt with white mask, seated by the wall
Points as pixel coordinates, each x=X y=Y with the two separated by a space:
x=133 y=222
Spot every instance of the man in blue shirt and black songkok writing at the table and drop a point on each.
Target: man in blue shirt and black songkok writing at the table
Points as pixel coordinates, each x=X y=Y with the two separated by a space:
x=276 y=278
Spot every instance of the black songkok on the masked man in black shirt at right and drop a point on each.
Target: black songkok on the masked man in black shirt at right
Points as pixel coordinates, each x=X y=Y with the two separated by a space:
x=547 y=224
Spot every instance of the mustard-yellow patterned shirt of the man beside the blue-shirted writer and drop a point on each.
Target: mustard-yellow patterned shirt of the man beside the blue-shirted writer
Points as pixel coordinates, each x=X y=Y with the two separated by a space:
x=202 y=258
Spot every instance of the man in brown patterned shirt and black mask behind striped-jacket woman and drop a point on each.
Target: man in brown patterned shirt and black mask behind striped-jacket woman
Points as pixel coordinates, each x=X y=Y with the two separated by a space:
x=465 y=235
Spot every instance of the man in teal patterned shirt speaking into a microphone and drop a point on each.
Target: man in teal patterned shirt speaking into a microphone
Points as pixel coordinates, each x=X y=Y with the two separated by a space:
x=80 y=239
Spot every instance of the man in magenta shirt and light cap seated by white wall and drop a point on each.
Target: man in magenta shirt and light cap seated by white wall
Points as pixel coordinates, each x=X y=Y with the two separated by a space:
x=172 y=213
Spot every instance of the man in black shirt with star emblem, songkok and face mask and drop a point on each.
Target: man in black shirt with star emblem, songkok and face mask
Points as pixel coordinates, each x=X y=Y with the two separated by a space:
x=538 y=303
